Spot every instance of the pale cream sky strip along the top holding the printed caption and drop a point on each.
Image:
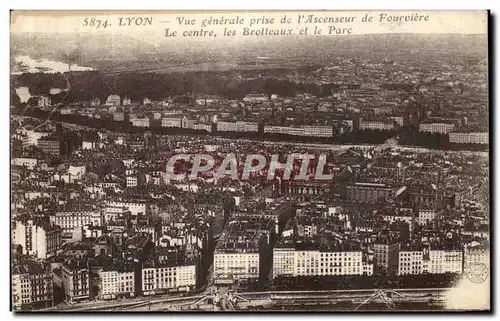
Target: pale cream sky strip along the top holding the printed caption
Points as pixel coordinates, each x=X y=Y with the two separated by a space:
x=457 y=22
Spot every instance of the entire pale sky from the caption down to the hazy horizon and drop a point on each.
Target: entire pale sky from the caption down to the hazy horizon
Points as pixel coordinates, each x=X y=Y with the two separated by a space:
x=93 y=46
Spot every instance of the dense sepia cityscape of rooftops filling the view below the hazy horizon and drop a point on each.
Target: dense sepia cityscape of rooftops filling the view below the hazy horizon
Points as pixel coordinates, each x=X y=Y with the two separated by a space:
x=98 y=224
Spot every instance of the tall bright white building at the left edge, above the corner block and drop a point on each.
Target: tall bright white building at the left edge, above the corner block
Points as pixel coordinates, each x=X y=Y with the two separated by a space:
x=38 y=239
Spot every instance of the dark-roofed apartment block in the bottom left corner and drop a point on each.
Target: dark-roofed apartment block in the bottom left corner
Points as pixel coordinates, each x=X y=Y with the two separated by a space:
x=32 y=286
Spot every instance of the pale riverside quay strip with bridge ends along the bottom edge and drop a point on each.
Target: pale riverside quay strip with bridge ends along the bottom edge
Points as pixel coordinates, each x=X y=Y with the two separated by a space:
x=226 y=300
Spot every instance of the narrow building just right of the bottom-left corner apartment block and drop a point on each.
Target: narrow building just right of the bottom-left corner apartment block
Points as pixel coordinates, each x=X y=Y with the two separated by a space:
x=75 y=280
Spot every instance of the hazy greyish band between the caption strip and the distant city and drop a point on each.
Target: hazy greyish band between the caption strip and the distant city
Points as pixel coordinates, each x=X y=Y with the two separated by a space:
x=125 y=46
